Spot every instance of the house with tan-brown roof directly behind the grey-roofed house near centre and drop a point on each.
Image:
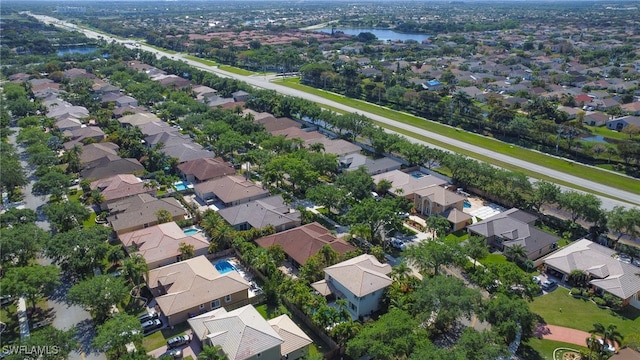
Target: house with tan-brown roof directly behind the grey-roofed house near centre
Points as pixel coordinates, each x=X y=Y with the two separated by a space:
x=230 y=190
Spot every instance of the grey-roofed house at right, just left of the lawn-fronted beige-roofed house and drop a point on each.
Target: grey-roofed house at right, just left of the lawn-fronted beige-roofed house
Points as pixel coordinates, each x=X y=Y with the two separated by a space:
x=515 y=227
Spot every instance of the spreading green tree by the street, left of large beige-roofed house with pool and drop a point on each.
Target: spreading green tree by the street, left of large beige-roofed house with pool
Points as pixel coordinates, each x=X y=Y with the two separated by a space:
x=98 y=295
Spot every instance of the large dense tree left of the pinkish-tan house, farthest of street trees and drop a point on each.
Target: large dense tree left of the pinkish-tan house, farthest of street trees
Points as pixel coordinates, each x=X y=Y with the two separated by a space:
x=79 y=251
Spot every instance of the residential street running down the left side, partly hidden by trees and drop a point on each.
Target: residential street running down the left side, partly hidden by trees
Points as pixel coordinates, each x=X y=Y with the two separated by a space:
x=66 y=316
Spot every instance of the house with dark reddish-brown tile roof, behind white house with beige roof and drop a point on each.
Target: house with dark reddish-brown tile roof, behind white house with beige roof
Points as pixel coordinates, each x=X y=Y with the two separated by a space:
x=300 y=243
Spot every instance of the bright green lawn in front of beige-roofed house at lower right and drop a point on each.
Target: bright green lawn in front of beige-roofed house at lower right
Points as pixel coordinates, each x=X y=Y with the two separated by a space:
x=559 y=308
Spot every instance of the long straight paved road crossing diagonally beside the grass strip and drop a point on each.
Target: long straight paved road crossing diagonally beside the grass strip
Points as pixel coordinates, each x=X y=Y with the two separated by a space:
x=264 y=82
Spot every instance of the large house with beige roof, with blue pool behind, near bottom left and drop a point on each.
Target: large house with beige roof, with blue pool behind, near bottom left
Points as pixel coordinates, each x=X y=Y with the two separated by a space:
x=194 y=286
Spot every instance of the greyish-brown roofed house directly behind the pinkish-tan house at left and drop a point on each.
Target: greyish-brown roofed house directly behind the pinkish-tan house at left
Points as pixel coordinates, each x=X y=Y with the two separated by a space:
x=141 y=211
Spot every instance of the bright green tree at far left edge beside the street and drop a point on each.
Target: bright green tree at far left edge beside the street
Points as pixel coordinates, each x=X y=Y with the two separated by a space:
x=32 y=282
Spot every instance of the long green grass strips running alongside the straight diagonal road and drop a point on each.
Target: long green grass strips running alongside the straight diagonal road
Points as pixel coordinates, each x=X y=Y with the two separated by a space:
x=565 y=166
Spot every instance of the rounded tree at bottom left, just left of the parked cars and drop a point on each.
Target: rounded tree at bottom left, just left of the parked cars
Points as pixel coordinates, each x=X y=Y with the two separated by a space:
x=113 y=336
